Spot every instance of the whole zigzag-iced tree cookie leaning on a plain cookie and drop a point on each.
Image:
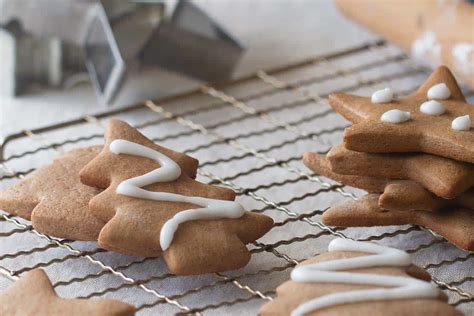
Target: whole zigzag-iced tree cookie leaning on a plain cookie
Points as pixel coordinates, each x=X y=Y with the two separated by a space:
x=152 y=206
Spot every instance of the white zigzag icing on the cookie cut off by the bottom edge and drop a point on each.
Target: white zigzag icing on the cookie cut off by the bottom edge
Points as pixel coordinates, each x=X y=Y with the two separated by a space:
x=332 y=271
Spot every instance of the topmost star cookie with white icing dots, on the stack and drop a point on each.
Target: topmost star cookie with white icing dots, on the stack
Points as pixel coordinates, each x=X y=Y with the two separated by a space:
x=435 y=119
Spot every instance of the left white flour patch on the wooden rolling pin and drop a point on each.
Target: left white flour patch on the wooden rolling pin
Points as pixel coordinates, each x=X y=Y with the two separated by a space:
x=427 y=48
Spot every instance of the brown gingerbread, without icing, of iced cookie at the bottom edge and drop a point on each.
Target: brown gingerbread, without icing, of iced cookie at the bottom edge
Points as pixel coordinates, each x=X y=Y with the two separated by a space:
x=292 y=294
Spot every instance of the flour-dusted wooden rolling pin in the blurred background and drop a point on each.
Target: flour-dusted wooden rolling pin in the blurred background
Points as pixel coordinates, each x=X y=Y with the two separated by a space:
x=436 y=32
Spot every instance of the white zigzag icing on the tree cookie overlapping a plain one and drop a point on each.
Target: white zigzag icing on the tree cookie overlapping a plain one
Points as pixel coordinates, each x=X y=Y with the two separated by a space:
x=169 y=171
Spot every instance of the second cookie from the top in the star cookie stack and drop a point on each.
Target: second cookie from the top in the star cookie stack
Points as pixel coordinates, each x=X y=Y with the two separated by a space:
x=444 y=177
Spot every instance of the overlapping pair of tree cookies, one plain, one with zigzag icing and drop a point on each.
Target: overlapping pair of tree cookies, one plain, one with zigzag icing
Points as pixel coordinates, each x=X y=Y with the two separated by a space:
x=138 y=198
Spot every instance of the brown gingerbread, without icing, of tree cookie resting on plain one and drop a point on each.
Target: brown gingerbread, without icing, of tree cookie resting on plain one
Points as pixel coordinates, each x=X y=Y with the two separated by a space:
x=133 y=225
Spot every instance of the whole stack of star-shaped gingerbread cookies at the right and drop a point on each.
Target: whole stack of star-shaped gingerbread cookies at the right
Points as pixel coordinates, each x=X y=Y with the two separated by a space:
x=414 y=156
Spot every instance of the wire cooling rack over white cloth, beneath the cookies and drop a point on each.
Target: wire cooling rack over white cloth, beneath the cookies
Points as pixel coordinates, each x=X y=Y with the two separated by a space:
x=249 y=135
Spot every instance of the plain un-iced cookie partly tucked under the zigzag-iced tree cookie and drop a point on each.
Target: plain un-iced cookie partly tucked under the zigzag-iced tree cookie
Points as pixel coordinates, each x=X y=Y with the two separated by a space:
x=54 y=198
